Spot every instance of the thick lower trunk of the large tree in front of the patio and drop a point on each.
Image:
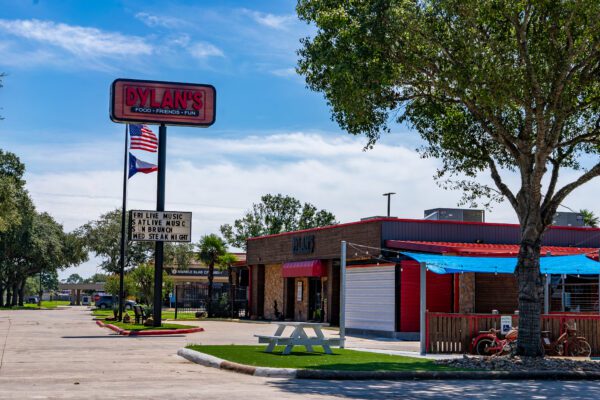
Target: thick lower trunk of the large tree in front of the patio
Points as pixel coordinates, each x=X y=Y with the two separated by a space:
x=530 y=294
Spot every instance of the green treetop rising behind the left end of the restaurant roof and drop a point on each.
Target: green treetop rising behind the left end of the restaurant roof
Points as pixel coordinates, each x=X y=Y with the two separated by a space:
x=275 y=214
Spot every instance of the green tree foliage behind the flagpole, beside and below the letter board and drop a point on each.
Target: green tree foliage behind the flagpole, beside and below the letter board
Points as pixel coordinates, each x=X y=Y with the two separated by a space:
x=103 y=238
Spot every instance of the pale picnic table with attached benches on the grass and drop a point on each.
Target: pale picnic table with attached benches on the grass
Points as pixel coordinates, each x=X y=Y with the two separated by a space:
x=298 y=337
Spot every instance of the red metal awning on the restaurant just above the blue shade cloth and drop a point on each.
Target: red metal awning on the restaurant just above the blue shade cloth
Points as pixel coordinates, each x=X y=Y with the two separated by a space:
x=483 y=249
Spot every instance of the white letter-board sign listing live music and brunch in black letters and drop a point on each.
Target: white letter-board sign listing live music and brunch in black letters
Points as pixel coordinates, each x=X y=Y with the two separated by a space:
x=160 y=226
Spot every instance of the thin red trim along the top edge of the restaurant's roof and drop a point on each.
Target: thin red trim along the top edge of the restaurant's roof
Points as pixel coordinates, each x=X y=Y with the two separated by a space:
x=426 y=221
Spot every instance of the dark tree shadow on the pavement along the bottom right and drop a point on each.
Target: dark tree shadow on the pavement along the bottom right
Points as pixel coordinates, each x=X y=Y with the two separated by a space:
x=433 y=389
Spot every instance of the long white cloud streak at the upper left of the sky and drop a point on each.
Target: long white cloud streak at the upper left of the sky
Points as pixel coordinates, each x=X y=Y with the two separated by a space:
x=78 y=40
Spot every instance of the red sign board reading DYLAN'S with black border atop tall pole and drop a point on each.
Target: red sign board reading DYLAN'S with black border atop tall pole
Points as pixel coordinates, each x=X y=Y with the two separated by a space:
x=168 y=103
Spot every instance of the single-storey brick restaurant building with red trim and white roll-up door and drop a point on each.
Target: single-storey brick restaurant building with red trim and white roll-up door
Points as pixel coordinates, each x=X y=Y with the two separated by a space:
x=296 y=275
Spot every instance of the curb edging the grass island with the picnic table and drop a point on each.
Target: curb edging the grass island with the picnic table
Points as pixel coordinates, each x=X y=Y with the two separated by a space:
x=215 y=362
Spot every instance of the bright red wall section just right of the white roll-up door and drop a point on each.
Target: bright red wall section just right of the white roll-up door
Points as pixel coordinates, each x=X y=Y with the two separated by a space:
x=439 y=295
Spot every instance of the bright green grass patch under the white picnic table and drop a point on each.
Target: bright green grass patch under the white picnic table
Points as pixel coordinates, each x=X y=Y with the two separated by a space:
x=342 y=359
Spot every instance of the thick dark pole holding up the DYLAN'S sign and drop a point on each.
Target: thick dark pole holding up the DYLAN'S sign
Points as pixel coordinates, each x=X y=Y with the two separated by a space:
x=160 y=206
